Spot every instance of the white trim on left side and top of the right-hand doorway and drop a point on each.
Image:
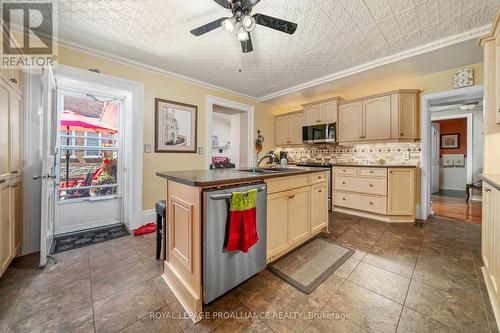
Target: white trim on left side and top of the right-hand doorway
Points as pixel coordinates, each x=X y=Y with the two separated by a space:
x=425 y=121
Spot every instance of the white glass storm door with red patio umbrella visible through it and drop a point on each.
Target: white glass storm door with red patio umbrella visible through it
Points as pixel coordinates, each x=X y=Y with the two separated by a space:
x=89 y=163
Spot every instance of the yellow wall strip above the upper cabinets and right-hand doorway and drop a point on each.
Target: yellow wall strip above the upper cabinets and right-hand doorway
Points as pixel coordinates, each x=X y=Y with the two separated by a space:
x=430 y=83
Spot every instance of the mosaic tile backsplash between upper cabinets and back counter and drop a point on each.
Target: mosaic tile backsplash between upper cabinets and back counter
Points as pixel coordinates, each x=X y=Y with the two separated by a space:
x=392 y=153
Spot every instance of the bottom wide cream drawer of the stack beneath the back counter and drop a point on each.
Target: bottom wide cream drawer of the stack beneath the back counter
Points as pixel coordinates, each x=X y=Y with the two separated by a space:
x=367 y=203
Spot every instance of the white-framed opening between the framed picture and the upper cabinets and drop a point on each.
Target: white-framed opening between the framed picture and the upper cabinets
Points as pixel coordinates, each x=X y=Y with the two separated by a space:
x=229 y=134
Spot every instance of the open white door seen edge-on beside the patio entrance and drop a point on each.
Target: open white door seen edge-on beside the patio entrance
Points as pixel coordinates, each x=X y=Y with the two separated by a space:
x=48 y=154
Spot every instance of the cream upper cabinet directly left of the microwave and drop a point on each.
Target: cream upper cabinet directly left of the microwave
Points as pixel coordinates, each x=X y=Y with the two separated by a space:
x=289 y=129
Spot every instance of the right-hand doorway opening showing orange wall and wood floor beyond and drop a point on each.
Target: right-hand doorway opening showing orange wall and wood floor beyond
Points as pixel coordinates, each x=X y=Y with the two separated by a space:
x=456 y=157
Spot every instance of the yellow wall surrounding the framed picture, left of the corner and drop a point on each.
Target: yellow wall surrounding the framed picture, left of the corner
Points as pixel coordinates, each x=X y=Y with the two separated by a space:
x=166 y=87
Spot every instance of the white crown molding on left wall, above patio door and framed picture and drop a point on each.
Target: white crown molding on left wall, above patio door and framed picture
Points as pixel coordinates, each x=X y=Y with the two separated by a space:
x=125 y=61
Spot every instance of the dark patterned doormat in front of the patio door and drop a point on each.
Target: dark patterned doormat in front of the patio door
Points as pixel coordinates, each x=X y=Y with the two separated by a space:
x=88 y=237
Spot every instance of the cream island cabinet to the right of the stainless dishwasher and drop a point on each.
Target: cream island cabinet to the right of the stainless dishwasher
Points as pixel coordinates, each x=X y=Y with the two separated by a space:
x=295 y=214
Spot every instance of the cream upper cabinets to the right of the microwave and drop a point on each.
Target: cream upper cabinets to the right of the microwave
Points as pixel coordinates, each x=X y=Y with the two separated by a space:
x=391 y=117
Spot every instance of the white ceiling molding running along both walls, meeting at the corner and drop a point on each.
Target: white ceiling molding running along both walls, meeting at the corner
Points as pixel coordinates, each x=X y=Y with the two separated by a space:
x=468 y=35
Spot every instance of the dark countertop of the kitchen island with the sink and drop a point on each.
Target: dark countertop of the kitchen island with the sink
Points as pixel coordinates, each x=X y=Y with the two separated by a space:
x=204 y=178
